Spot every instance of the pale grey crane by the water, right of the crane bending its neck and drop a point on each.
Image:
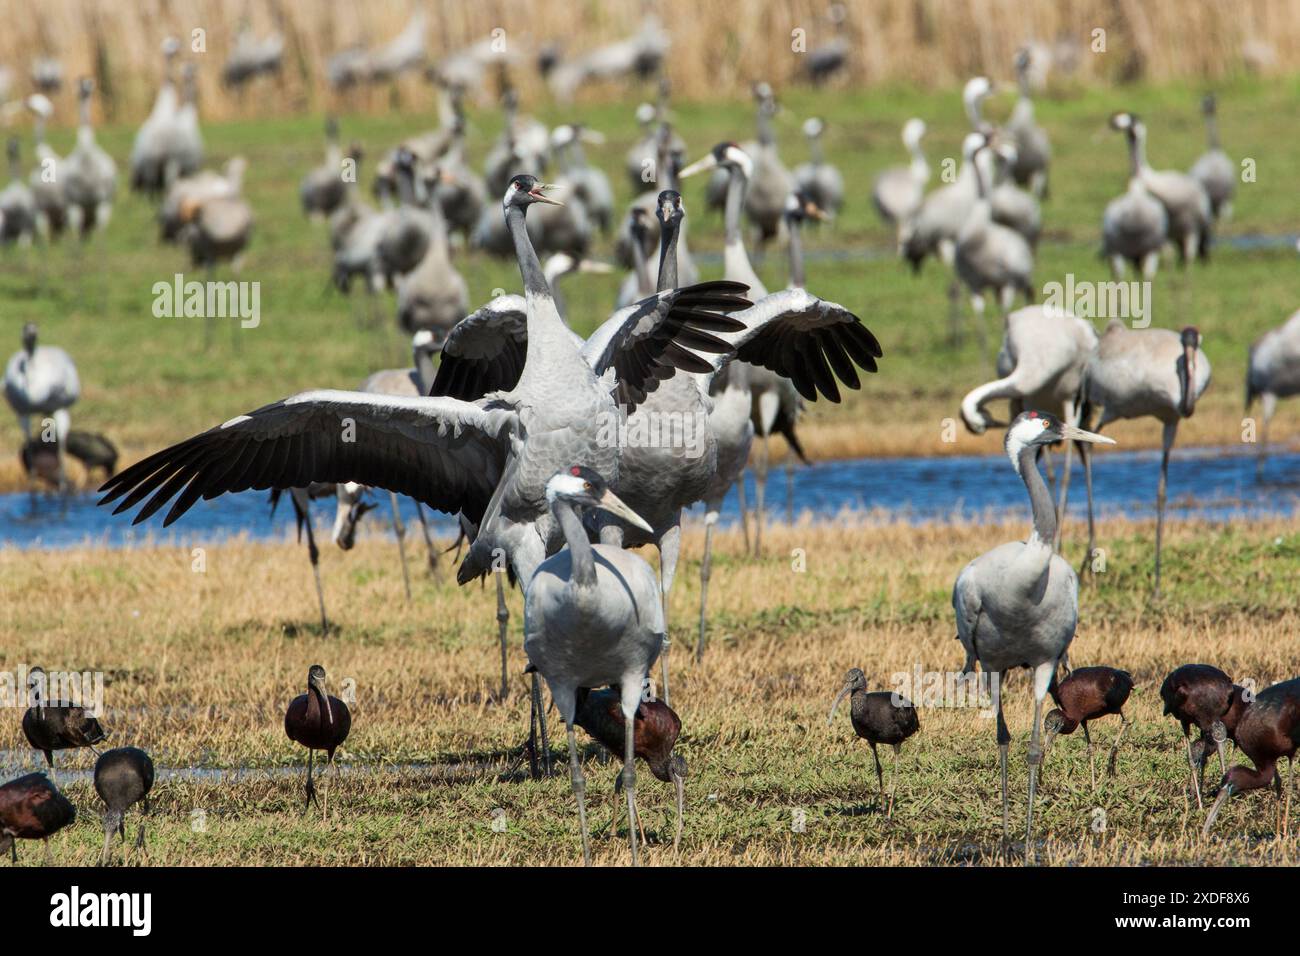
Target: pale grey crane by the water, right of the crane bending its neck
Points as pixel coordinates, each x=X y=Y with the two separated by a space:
x=1138 y=374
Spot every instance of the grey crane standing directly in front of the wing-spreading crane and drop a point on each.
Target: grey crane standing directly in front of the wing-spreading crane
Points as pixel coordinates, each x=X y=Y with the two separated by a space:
x=592 y=617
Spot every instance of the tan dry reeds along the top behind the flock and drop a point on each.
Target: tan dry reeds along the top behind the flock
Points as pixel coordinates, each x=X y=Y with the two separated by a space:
x=721 y=46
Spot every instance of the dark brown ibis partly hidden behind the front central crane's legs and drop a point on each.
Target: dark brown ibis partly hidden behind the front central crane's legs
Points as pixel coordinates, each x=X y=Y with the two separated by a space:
x=655 y=736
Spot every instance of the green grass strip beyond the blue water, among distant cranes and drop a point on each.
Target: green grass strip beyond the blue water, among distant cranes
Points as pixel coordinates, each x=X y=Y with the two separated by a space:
x=149 y=382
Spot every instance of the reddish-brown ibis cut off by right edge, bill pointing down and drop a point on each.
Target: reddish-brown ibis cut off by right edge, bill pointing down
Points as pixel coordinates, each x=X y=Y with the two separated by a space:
x=1268 y=732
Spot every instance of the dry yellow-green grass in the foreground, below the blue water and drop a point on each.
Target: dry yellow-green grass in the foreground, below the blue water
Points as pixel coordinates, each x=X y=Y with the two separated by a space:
x=201 y=667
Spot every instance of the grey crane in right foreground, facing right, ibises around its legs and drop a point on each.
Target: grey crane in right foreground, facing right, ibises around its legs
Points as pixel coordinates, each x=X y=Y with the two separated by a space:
x=1019 y=604
